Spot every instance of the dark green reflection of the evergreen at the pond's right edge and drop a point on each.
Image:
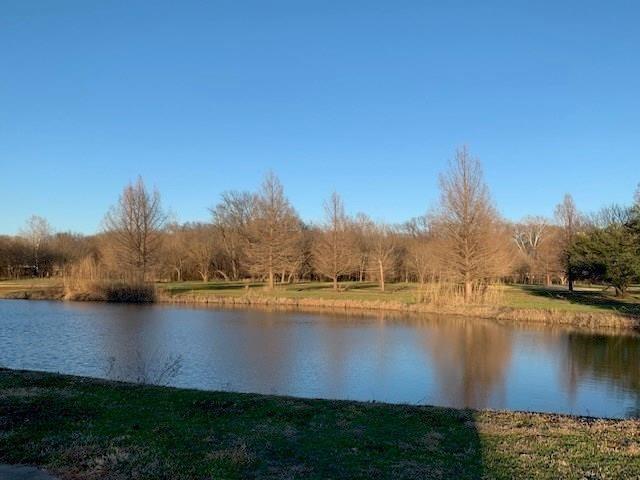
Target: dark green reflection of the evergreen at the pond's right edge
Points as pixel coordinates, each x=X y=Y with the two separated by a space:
x=611 y=359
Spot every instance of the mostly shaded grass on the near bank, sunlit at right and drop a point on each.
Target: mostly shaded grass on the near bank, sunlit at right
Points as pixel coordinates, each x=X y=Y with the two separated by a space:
x=83 y=428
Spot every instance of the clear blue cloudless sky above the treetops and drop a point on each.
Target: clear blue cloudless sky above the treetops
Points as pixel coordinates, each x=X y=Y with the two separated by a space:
x=367 y=98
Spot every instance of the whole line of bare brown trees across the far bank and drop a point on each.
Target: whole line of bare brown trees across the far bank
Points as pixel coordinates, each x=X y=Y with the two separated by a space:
x=462 y=241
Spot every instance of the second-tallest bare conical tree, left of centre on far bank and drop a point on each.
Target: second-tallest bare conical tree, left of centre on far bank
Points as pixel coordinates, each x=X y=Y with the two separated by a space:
x=274 y=232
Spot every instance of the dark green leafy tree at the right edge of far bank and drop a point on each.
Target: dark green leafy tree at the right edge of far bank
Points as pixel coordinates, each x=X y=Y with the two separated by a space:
x=608 y=251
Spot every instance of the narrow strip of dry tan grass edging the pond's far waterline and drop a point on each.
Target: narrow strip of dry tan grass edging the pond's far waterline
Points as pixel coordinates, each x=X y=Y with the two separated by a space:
x=591 y=320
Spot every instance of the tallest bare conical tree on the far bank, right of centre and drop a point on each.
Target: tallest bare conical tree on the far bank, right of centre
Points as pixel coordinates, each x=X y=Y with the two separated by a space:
x=468 y=223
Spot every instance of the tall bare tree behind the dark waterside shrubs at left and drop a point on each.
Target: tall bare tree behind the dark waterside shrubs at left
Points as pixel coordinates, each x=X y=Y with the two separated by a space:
x=134 y=227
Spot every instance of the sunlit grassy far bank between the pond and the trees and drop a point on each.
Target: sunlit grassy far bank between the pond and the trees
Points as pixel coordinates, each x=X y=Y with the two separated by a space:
x=586 y=307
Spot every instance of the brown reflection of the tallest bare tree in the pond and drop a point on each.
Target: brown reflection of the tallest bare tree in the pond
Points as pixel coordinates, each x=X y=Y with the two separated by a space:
x=471 y=357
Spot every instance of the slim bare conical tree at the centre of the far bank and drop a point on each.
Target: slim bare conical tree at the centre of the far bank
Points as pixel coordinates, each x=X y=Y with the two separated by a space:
x=333 y=248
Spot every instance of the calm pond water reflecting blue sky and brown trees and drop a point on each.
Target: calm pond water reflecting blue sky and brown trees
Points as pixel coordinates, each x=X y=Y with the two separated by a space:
x=436 y=360
